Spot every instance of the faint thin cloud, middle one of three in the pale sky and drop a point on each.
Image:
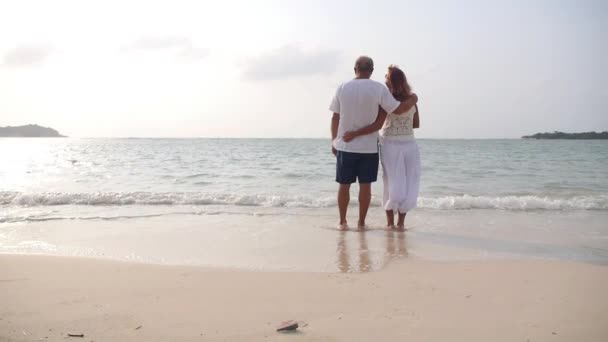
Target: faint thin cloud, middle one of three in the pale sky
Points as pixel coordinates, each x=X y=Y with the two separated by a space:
x=181 y=46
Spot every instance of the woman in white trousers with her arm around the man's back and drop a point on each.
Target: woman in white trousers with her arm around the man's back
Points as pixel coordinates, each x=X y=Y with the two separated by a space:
x=399 y=152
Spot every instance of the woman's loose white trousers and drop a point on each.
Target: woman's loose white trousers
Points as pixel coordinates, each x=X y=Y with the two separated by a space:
x=401 y=175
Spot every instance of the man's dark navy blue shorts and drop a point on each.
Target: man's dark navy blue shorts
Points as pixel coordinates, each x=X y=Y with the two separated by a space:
x=350 y=166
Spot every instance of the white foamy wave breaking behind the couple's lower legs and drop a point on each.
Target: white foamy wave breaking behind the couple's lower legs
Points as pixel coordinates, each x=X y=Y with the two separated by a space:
x=523 y=202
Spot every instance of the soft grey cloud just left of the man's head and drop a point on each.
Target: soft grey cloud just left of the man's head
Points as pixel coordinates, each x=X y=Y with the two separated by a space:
x=291 y=62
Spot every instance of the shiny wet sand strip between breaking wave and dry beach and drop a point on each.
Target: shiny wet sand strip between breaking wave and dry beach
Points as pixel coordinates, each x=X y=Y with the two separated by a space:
x=306 y=241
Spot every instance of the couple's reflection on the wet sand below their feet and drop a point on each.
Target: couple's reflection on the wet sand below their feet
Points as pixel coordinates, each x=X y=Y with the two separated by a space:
x=354 y=254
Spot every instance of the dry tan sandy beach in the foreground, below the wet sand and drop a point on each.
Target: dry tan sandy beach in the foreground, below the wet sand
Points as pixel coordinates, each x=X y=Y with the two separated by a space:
x=46 y=298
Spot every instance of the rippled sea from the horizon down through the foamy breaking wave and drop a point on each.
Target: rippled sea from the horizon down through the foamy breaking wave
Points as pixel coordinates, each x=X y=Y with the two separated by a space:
x=457 y=174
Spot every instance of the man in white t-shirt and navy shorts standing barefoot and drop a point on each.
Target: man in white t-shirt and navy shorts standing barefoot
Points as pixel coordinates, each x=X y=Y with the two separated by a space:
x=356 y=105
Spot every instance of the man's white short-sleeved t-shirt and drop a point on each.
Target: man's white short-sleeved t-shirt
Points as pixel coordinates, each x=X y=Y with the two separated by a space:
x=357 y=102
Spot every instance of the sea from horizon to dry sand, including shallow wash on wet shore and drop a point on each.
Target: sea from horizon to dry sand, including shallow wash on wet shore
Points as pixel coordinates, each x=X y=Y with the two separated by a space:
x=270 y=203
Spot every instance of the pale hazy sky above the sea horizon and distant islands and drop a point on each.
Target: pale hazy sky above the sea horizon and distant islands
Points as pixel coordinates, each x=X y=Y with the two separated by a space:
x=481 y=69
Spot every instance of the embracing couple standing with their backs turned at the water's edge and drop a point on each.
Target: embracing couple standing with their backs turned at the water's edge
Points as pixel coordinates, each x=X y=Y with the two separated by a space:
x=361 y=107
